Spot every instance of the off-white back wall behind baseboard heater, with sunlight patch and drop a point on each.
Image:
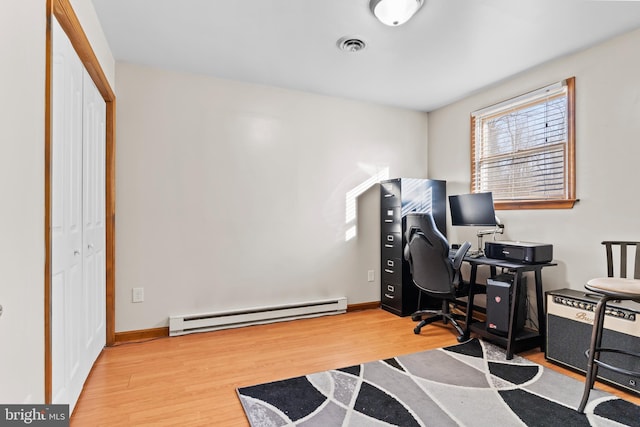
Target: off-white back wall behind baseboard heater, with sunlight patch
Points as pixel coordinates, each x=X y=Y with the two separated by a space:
x=232 y=195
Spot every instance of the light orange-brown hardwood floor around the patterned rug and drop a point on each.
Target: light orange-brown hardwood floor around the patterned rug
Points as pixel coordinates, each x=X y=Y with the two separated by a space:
x=191 y=380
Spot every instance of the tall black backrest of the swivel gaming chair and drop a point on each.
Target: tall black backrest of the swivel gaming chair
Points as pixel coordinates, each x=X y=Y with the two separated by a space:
x=427 y=251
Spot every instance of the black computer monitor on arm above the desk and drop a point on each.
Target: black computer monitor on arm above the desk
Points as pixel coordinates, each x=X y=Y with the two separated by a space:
x=472 y=209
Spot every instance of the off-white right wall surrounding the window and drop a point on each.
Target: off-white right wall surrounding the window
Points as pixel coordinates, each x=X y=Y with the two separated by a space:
x=607 y=132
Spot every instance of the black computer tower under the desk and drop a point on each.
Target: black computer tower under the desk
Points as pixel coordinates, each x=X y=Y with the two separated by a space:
x=499 y=300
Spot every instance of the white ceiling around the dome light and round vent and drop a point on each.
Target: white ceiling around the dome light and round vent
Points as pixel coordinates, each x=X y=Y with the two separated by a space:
x=450 y=49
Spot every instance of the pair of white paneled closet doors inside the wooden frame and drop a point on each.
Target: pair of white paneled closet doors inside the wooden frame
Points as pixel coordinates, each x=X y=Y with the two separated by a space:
x=77 y=218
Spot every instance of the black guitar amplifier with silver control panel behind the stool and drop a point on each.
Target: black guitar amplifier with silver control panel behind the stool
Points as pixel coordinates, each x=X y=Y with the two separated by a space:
x=570 y=316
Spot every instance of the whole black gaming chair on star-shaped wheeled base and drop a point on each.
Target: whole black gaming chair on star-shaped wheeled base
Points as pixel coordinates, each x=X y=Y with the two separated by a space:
x=432 y=271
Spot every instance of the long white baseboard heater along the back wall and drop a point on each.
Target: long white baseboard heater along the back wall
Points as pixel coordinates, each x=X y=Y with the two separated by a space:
x=205 y=322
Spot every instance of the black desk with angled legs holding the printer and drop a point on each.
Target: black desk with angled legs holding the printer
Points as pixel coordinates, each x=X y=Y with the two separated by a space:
x=514 y=342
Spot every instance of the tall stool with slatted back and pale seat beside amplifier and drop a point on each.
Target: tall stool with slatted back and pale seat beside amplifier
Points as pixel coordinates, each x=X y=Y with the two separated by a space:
x=612 y=288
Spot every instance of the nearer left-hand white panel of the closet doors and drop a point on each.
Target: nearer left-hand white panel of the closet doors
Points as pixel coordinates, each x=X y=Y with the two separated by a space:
x=66 y=216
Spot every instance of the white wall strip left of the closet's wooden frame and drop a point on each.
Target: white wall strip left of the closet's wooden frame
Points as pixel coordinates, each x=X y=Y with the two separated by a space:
x=22 y=251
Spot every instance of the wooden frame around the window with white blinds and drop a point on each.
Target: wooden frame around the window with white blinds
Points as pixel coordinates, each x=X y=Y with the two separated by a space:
x=569 y=162
